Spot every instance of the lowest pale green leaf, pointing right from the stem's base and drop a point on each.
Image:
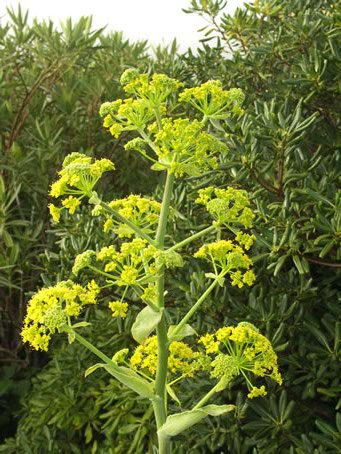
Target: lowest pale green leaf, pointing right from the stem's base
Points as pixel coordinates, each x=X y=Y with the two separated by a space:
x=177 y=423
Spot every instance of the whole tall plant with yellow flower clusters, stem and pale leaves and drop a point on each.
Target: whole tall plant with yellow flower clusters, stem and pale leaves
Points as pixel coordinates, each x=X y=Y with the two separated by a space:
x=136 y=258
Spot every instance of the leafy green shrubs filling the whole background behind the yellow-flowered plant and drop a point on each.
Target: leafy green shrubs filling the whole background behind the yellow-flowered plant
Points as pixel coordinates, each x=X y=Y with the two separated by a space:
x=285 y=151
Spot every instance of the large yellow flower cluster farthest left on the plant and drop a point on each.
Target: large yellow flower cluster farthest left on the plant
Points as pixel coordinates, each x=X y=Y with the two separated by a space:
x=48 y=310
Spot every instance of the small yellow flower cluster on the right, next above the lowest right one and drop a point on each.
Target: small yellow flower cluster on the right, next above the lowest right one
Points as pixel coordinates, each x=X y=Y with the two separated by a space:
x=228 y=258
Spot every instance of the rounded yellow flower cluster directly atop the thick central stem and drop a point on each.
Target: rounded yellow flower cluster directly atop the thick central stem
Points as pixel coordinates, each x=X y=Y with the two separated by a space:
x=184 y=147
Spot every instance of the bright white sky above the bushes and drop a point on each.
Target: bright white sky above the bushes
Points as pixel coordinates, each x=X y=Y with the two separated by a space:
x=159 y=21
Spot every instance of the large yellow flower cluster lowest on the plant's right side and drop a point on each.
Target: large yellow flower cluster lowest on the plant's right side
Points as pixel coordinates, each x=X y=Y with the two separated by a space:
x=241 y=350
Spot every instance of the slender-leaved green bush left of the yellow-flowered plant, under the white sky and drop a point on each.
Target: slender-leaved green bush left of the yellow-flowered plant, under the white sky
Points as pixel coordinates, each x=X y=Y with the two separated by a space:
x=52 y=83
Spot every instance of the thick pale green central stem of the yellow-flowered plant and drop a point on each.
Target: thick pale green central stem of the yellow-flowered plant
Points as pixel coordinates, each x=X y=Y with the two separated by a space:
x=160 y=403
